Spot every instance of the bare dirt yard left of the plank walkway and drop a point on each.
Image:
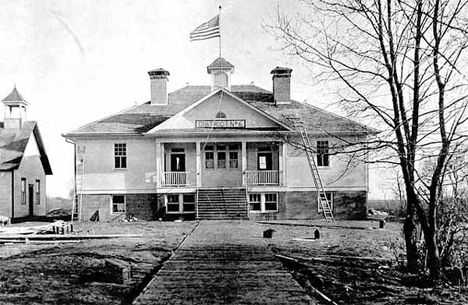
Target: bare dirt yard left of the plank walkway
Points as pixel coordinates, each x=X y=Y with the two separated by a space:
x=75 y=273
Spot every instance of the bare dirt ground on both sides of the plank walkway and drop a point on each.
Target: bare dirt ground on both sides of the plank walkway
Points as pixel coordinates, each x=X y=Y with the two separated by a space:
x=352 y=263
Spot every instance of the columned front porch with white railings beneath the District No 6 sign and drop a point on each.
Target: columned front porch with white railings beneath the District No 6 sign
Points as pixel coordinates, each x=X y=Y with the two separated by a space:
x=220 y=164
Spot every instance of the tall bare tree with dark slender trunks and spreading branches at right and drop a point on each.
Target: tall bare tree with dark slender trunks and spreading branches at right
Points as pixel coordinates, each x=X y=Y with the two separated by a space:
x=397 y=65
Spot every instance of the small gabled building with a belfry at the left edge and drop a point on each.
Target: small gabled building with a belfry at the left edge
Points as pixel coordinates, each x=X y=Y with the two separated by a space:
x=24 y=163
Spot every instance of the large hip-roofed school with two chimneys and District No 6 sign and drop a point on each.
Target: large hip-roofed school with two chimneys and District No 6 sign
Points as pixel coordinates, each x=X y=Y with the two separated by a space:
x=218 y=151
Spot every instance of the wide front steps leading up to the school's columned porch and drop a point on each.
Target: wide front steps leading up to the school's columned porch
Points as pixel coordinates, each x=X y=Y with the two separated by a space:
x=222 y=204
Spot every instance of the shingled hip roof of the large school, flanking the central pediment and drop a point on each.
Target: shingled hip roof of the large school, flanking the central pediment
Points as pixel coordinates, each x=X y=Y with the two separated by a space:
x=142 y=118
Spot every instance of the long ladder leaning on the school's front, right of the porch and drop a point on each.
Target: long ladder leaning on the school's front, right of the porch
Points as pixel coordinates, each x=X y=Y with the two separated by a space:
x=298 y=124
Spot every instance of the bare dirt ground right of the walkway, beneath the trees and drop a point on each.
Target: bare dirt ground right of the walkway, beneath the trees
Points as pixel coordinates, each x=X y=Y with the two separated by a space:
x=355 y=262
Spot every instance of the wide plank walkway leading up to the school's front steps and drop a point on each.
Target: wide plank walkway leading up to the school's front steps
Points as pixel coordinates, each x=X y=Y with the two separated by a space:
x=224 y=262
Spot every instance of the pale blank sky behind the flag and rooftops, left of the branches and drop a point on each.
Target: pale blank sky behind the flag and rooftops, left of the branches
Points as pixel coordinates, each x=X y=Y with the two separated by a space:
x=79 y=61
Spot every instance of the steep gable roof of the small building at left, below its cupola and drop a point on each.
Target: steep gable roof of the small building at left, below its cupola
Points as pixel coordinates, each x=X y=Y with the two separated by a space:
x=13 y=144
